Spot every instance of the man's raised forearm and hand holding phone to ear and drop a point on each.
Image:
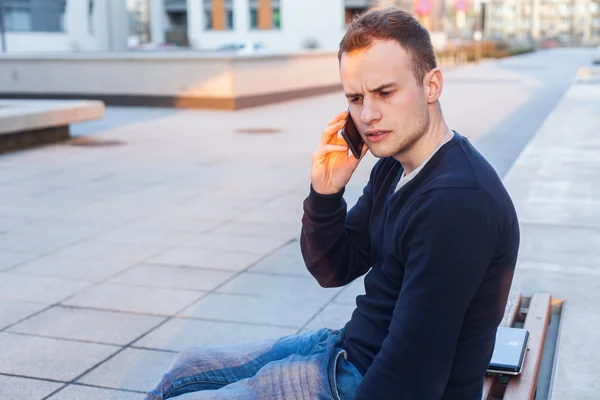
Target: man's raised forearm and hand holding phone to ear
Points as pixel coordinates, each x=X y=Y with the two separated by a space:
x=335 y=247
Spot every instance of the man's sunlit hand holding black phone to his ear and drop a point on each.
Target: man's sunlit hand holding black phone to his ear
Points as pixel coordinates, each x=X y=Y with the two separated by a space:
x=331 y=165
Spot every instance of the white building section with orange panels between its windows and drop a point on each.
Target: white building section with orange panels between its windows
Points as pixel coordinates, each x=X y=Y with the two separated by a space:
x=281 y=25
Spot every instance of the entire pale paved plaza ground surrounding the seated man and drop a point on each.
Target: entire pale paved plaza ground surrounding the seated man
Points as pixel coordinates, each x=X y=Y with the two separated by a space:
x=162 y=228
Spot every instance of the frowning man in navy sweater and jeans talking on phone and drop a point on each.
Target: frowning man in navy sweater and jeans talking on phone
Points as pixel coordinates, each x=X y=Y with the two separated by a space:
x=435 y=232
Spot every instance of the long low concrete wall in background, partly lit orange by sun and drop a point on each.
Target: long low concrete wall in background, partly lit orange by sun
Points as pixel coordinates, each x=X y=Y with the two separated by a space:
x=182 y=79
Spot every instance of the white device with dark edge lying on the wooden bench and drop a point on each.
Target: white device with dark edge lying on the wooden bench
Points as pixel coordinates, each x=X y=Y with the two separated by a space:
x=509 y=351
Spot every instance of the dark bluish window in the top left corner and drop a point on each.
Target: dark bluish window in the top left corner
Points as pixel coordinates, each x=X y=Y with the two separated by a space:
x=34 y=15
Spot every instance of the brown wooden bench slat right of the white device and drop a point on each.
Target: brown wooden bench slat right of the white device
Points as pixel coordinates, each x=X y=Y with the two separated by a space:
x=537 y=321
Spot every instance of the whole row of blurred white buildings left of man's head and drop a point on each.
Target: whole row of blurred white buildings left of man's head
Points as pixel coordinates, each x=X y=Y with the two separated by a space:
x=116 y=25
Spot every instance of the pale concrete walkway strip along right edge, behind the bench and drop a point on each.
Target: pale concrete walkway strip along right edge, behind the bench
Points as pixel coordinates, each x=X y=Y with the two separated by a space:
x=554 y=184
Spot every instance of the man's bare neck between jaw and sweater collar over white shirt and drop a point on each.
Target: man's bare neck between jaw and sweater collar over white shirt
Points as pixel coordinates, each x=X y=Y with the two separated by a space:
x=424 y=146
